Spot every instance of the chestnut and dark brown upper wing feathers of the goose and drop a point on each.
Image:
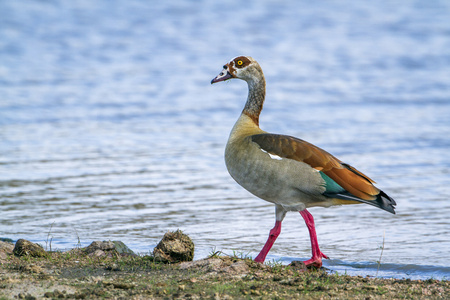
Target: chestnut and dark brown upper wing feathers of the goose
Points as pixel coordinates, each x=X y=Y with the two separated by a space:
x=343 y=174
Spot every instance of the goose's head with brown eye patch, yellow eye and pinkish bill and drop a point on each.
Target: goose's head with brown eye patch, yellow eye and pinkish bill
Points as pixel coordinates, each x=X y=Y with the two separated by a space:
x=242 y=67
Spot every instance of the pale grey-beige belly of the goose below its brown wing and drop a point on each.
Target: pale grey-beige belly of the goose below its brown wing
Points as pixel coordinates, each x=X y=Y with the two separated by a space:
x=289 y=183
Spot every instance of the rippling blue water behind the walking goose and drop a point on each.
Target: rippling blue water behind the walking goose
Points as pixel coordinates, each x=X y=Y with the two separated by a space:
x=109 y=128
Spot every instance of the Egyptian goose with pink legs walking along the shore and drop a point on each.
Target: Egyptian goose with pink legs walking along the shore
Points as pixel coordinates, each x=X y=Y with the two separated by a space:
x=286 y=171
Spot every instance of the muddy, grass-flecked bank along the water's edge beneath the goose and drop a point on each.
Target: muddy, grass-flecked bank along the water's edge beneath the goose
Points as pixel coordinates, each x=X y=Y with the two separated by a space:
x=112 y=274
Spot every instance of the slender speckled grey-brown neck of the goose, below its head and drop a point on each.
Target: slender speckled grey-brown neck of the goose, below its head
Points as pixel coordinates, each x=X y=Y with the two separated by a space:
x=256 y=96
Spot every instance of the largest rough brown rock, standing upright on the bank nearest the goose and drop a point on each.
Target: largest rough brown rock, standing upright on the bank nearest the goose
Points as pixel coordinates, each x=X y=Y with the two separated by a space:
x=174 y=247
